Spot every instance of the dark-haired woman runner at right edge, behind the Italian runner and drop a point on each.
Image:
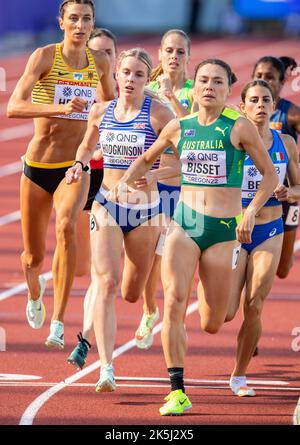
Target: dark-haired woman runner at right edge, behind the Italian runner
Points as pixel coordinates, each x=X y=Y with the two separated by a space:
x=286 y=120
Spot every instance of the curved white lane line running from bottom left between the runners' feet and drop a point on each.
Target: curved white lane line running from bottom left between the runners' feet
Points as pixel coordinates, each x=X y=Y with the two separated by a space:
x=32 y=410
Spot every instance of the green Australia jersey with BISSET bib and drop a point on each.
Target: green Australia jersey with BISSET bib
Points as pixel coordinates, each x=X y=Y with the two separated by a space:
x=207 y=155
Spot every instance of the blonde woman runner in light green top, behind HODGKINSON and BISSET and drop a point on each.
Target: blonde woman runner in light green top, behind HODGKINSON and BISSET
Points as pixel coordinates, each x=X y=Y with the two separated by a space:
x=169 y=81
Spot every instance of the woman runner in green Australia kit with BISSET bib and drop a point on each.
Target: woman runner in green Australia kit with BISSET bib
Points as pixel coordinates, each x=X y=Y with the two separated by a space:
x=211 y=145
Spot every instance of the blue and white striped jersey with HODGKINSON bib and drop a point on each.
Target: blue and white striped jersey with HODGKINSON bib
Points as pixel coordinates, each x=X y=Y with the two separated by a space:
x=123 y=142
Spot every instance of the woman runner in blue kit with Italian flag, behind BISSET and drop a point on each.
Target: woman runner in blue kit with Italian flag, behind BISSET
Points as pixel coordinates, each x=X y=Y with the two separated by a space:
x=258 y=260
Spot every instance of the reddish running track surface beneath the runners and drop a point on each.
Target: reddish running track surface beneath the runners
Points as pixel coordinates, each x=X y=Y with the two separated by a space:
x=141 y=376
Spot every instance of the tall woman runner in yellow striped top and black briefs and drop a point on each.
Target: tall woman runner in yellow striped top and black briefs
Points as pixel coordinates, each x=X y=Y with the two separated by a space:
x=62 y=79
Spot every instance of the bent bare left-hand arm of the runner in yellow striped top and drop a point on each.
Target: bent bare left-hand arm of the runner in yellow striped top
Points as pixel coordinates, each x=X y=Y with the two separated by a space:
x=38 y=65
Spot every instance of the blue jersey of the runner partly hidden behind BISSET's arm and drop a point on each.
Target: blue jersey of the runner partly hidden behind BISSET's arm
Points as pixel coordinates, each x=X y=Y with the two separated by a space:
x=252 y=177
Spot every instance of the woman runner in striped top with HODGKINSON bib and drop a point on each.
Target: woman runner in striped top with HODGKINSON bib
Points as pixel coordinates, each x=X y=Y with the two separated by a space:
x=128 y=126
